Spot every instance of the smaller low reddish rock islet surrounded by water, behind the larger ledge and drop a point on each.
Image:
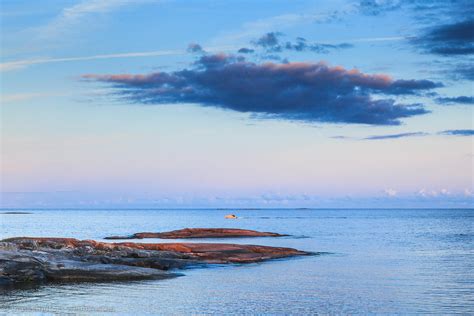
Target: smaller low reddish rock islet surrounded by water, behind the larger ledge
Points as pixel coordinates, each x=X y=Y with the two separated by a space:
x=200 y=233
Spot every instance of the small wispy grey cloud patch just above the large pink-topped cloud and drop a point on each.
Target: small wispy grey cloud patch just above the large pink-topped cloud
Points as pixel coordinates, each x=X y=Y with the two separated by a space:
x=272 y=44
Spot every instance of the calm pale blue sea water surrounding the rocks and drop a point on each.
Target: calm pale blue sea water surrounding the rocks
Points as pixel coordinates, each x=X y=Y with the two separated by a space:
x=374 y=261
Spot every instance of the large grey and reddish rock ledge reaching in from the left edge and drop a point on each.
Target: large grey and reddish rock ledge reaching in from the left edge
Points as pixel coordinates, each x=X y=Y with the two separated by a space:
x=27 y=260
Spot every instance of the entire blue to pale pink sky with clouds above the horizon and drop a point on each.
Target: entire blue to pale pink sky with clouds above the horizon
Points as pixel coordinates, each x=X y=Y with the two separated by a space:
x=236 y=104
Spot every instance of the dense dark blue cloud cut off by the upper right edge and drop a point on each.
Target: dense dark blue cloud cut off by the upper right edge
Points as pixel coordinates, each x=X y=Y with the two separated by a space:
x=448 y=39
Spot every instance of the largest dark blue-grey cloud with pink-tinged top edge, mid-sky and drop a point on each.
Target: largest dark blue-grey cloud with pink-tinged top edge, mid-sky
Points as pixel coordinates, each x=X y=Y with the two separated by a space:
x=311 y=92
